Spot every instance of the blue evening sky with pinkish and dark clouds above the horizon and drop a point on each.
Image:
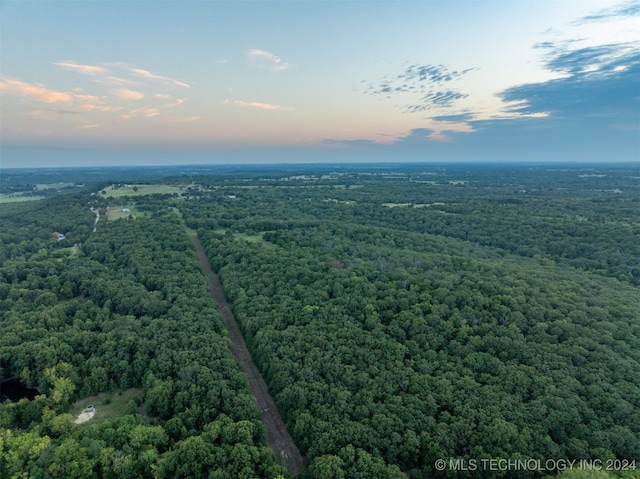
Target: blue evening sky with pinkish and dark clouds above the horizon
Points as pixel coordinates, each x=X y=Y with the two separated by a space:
x=167 y=82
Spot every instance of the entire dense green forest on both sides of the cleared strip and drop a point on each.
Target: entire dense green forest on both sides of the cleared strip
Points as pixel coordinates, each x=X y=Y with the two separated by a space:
x=399 y=315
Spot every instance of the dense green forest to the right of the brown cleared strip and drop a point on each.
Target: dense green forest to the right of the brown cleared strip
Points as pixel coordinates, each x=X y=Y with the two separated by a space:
x=477 y=341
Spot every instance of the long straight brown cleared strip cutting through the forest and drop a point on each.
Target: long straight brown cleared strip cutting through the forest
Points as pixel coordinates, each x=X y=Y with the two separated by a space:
x=278 y=438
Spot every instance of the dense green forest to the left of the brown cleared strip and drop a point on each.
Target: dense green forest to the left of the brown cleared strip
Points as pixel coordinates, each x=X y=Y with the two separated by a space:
x=127 y=309
